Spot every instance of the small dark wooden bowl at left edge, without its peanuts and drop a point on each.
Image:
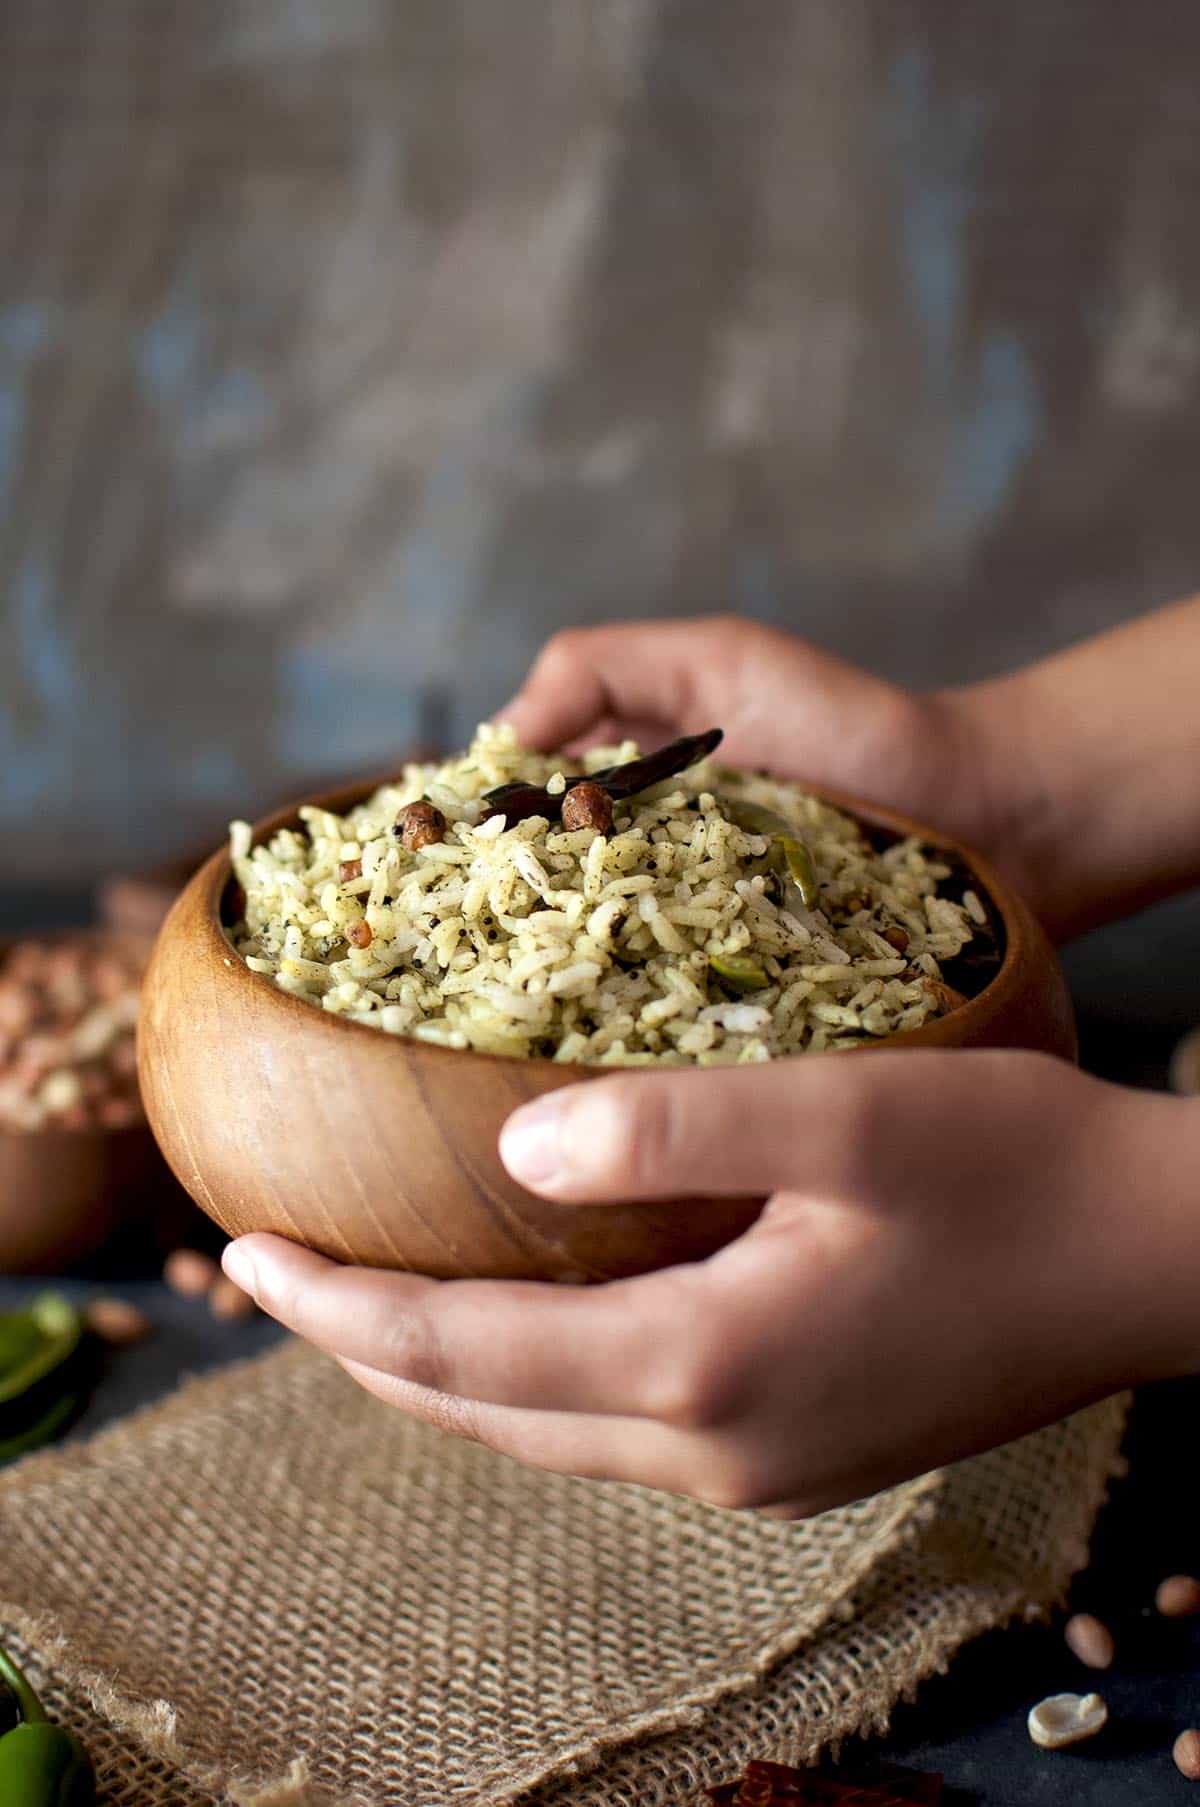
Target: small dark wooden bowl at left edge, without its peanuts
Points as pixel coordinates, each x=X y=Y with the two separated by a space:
x=66 y=1192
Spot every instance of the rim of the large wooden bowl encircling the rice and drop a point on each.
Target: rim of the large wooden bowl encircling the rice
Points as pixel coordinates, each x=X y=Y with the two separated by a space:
x=211 y=883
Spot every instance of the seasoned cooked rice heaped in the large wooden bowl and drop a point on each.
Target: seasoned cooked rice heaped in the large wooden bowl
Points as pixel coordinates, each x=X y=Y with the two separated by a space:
x=532 y=941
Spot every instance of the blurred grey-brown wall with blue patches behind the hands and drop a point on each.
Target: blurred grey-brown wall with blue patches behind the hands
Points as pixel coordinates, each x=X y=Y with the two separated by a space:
x=348 y=348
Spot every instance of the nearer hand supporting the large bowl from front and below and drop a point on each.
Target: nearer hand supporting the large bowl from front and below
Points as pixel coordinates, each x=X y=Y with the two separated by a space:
x=957 y=1248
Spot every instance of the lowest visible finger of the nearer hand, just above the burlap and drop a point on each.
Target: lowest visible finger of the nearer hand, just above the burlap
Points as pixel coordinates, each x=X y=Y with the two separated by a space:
x=592 y=1448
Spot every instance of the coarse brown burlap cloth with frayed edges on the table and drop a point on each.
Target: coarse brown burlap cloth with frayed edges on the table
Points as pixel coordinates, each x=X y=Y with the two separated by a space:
x=272 y=1589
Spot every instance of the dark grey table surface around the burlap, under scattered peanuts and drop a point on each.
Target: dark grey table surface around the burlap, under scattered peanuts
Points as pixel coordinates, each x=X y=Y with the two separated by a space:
x=970 y=1723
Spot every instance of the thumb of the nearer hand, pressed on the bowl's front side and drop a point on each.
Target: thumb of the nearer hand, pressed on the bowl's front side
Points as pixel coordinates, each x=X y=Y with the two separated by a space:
x=720 y=1132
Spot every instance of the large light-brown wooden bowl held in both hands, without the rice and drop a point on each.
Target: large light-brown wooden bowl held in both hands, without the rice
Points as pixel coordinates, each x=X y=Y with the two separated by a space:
x=382 y=1150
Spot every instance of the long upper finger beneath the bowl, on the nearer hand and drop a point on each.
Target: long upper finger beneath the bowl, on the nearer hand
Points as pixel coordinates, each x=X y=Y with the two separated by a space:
x=610 y=1349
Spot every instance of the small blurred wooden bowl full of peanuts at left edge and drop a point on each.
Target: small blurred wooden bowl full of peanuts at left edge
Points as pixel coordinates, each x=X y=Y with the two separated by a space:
x=77 y=1156
